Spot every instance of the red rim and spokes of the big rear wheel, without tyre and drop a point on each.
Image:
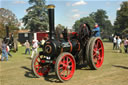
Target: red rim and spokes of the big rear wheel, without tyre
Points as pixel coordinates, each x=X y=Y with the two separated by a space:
x=98 y=53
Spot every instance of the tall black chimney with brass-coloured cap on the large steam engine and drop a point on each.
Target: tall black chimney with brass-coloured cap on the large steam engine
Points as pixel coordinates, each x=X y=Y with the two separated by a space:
x=51 y=21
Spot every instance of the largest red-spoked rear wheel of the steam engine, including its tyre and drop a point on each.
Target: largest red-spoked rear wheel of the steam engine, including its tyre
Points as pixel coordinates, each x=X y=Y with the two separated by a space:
x=96 y=53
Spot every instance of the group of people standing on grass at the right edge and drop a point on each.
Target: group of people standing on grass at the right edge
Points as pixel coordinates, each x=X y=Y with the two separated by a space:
x=120 y=44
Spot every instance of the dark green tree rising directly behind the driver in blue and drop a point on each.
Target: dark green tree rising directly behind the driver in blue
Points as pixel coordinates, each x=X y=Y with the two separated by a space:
x=101 y=19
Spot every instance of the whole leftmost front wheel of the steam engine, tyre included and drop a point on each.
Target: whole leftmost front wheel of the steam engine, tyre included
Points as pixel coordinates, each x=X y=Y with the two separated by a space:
x=39 y=67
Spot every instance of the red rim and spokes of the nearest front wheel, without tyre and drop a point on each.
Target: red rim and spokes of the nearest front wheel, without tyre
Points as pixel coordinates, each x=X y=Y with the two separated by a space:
x=66 y=67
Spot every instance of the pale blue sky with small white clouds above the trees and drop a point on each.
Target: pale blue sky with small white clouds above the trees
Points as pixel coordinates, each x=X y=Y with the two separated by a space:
x=67 y=11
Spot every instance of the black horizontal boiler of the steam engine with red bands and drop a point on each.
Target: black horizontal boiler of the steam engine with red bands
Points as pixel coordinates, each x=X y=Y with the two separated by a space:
x=53 y=47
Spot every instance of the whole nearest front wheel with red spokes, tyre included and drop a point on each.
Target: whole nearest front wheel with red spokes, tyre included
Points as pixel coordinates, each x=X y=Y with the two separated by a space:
x=65 y=66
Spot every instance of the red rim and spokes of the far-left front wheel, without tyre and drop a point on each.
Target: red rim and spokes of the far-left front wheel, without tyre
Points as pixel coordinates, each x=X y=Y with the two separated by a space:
x=39 y=66
